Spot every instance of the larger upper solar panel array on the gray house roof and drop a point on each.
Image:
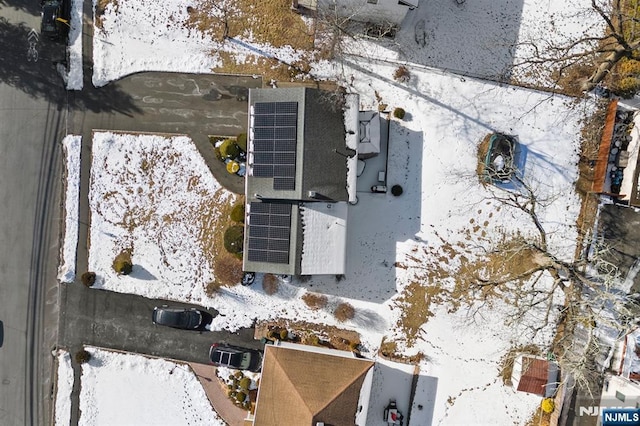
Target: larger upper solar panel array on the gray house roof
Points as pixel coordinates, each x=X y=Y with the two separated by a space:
x=275 y=129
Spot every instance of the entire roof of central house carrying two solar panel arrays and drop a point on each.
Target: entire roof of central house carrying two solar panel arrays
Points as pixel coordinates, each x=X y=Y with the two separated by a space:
x=301 y=150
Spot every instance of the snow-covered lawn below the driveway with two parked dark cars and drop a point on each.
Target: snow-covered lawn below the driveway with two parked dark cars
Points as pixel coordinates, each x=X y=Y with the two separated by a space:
x=124 y=389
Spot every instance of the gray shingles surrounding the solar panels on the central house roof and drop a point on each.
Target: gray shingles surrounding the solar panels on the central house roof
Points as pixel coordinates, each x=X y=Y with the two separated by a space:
x=321 y=166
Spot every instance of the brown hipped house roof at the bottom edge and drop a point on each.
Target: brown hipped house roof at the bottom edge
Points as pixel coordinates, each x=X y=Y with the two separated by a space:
x=303 y=387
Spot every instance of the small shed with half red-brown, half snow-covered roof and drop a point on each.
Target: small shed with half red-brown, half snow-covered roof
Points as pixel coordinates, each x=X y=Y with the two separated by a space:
x=535 y=375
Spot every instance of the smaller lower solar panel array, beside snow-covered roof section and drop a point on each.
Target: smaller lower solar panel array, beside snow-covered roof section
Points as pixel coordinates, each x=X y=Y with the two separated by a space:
x=269 y=232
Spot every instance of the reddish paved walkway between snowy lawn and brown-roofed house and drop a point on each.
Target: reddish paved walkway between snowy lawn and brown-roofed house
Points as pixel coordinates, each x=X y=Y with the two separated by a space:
x=226 y=409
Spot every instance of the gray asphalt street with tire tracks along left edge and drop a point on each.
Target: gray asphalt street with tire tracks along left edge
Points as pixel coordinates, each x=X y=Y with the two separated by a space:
x=32 y=123
